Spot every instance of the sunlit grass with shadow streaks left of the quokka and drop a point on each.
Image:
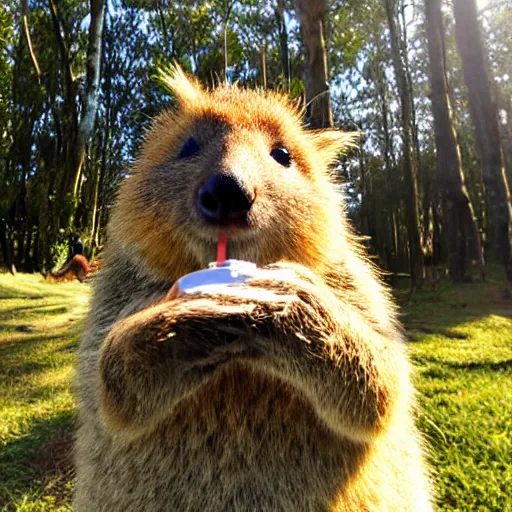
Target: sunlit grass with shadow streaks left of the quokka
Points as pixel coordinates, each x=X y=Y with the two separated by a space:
x=39 y=325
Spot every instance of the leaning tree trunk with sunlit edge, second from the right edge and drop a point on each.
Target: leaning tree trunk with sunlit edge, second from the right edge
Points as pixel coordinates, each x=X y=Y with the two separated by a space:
x=458 y=214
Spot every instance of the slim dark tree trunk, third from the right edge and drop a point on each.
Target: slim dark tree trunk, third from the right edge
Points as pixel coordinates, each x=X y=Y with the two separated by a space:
x=409 y=163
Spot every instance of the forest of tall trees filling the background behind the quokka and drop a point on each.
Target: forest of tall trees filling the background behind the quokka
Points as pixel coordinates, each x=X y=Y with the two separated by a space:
x=427 y=83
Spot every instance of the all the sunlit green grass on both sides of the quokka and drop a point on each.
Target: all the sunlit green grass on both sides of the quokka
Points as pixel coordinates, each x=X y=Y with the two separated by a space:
x=461 y=343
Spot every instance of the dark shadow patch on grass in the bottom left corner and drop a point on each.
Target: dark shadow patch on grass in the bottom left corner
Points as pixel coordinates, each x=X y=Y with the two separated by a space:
x=40 y=462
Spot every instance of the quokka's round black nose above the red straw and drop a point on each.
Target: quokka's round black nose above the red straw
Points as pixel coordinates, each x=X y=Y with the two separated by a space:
x=222 y=200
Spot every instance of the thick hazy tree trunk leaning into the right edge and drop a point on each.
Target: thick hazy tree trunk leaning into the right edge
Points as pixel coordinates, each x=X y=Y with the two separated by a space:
x=485 y=121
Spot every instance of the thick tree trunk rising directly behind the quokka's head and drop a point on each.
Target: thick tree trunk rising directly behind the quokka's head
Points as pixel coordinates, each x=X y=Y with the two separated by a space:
x=311 y=16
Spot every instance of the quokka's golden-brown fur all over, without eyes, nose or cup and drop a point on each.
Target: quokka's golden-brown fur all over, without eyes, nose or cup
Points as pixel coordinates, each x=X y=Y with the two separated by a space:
x=299 y=402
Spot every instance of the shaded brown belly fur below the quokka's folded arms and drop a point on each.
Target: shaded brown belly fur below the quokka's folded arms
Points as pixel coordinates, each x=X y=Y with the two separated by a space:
x=245 y=444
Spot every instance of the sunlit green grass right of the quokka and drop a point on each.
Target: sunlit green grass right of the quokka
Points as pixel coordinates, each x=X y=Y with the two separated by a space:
x=461 y=344
